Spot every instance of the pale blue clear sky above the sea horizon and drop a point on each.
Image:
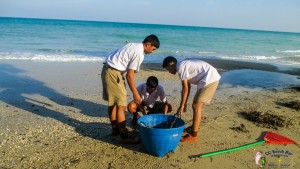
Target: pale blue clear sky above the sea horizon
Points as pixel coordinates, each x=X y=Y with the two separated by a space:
x=273 y=15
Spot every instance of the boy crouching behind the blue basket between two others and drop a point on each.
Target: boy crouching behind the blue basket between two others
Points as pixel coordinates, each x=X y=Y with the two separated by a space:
x=150 y=92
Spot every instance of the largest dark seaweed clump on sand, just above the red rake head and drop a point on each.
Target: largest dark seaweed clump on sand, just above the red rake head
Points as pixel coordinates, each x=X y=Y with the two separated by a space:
x=267 y=120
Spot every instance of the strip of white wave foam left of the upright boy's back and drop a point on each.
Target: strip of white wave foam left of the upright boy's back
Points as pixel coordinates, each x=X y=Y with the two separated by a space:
x=49 y=58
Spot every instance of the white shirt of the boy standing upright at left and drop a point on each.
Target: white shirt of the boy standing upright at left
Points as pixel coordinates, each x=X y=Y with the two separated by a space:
x=127 y=57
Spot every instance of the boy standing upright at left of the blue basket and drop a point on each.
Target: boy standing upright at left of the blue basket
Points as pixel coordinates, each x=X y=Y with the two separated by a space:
x=124 y=61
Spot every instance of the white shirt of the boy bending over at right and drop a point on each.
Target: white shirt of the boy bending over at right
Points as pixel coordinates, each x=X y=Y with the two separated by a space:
x=197 y=72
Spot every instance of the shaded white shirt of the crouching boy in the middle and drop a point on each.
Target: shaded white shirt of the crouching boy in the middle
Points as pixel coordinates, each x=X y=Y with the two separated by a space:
x=149 y=99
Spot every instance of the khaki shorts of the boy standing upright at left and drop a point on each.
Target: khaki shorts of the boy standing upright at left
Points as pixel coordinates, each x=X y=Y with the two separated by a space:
x=114 y=88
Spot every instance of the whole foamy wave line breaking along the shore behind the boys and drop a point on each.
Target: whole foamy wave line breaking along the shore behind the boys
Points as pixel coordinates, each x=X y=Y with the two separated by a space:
x=155 y=57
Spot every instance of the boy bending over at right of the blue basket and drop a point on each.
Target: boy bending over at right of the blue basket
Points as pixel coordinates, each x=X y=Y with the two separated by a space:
x=200 y=73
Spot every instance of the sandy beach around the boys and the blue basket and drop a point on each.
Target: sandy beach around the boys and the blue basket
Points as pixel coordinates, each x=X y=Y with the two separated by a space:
x=52 y=116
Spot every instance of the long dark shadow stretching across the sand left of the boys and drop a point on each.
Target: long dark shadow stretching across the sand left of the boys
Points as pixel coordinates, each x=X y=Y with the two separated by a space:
x=19 y=90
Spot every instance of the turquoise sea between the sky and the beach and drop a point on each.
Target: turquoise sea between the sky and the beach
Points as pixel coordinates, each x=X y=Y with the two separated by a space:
x=66 y=40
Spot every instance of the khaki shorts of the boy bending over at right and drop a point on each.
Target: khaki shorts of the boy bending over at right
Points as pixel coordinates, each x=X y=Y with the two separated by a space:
x=206 y=93
